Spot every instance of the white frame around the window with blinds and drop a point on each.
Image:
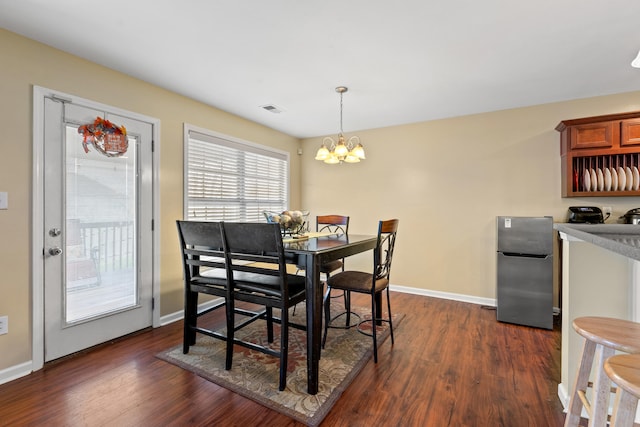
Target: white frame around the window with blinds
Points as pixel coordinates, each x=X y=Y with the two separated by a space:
x=228 y=141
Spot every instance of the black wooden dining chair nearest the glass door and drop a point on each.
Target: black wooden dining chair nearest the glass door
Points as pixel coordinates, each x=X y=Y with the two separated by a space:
x=203 y=261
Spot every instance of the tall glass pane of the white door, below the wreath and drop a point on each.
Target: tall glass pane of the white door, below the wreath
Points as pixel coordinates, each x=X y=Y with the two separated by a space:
x=100 y=238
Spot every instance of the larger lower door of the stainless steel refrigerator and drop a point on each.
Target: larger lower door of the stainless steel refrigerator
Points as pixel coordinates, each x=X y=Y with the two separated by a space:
x=525 y=290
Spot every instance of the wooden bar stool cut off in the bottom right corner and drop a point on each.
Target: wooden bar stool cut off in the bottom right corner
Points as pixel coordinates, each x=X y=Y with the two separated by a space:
x=624 y=370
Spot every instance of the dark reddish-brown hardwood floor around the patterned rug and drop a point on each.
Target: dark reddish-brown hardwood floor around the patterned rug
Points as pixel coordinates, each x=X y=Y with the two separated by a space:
x=452 y=364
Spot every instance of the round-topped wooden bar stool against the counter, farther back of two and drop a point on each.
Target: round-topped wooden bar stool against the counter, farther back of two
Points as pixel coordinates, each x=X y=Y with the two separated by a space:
x=603 y=336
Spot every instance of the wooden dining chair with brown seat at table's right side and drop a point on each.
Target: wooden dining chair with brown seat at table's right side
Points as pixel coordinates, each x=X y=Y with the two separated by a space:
x=373 y=283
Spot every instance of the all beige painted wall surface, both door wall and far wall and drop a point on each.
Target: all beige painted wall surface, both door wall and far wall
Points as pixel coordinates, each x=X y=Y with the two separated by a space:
x=447 y=183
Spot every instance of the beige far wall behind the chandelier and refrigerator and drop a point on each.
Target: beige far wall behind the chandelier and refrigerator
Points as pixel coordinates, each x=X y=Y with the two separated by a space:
x=448 y=180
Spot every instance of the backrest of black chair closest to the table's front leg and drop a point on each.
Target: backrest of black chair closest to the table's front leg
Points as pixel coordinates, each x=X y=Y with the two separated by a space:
x=255 y=250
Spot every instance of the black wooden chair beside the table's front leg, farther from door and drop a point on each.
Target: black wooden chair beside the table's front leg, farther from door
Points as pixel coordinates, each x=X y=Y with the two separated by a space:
x=257 y=273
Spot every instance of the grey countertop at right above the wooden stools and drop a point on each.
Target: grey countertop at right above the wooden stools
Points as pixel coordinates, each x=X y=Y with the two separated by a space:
x=623 y=239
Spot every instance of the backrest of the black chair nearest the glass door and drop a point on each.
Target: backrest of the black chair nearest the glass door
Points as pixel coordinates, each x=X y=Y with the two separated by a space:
x=202 y=246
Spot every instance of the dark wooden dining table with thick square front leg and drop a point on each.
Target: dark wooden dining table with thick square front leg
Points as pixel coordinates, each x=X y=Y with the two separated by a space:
x=311 y=251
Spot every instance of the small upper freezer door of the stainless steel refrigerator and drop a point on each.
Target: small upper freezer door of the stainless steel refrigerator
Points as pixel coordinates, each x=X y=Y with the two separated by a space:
x=525 y=235
